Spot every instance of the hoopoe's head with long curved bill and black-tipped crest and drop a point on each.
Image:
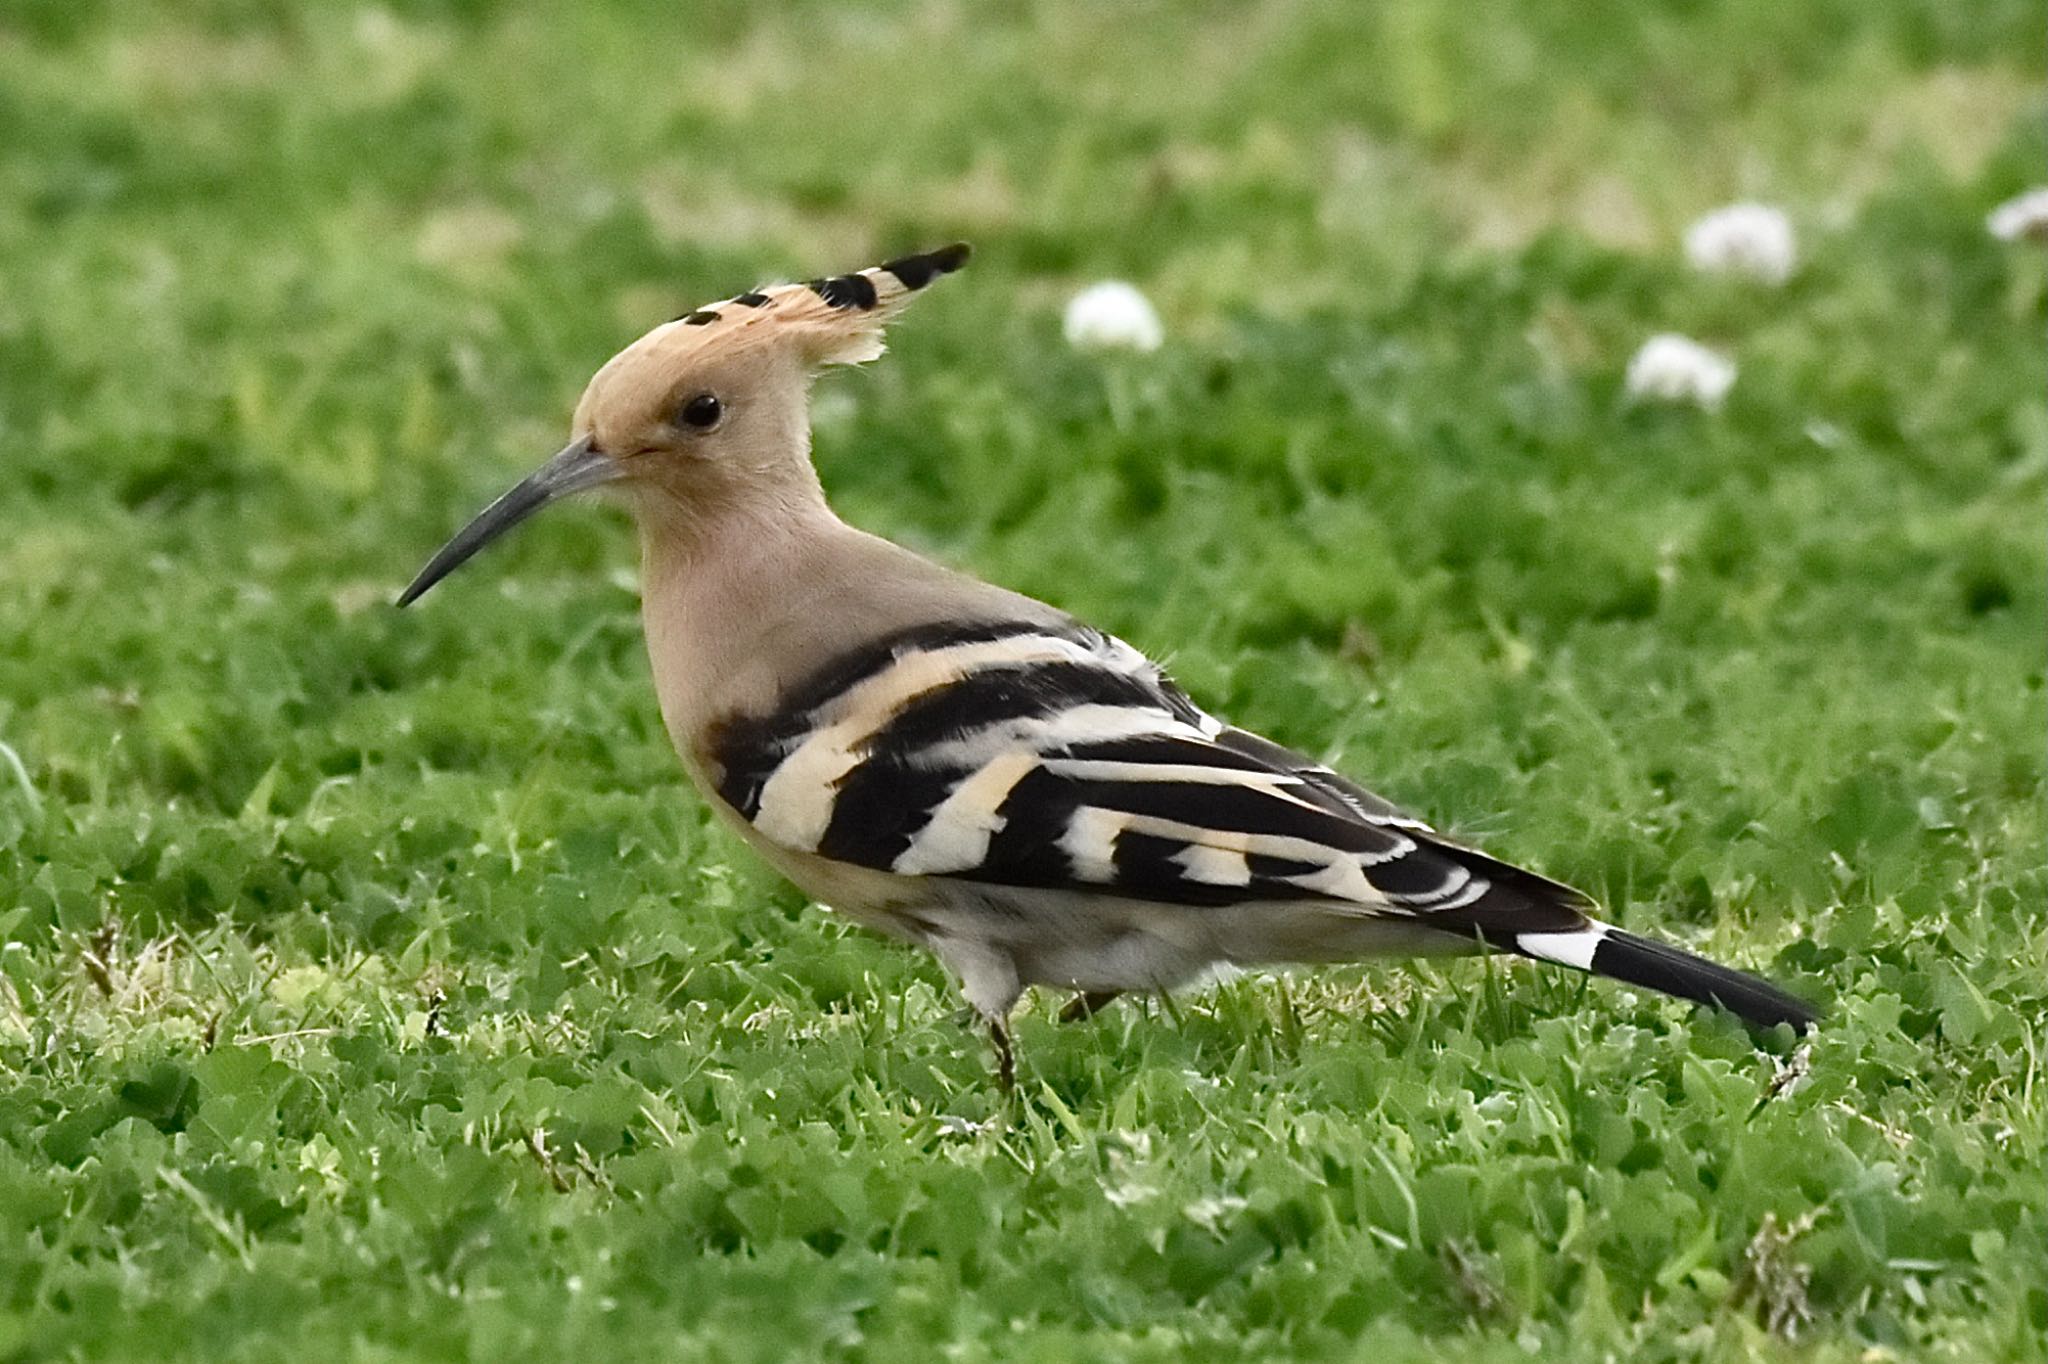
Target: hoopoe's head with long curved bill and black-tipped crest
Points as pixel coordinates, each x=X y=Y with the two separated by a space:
x=710 y=407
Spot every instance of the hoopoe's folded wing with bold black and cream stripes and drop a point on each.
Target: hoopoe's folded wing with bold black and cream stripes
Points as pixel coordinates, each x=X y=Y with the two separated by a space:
x=1062 y=759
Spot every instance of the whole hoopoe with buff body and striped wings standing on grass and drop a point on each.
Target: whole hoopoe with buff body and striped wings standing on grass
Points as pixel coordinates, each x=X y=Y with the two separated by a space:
x=970 y=769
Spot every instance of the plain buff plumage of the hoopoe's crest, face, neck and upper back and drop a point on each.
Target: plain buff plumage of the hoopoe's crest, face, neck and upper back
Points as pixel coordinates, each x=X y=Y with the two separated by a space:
x=746 y=574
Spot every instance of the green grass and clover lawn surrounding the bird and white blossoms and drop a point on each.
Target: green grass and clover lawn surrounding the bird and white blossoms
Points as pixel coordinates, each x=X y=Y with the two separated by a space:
x=374 y=988
